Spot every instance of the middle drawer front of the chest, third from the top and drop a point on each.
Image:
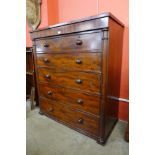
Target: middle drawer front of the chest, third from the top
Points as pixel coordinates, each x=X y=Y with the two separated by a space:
x=77 y=80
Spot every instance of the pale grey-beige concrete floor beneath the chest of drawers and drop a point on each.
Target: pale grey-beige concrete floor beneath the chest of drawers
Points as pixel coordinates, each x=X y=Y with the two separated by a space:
x=47 y=137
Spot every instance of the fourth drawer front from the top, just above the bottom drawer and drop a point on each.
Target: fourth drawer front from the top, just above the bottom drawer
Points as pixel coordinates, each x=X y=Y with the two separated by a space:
x=75 y=99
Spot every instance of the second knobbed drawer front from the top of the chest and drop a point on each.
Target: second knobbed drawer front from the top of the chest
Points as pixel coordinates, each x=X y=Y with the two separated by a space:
x=74 y=61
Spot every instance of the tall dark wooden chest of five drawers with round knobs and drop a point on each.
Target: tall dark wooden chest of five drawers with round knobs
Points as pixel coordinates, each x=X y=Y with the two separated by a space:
x=78 y=67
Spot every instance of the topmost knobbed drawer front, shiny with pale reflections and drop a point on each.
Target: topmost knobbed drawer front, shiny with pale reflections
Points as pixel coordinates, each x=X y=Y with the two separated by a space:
x=80 y=42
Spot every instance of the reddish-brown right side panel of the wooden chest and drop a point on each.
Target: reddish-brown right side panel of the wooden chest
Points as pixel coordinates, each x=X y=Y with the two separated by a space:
x=113 y=74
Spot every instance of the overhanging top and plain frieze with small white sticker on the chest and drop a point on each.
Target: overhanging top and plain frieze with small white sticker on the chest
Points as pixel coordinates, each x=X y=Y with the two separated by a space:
x=90 y=23
